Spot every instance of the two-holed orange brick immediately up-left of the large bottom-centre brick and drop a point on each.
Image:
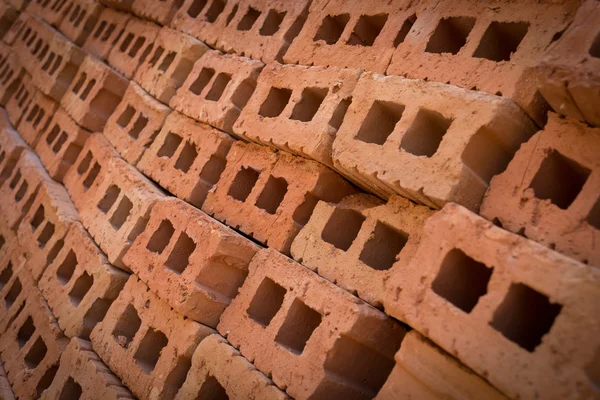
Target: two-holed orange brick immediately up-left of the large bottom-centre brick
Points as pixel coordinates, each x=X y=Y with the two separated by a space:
x=192 y=262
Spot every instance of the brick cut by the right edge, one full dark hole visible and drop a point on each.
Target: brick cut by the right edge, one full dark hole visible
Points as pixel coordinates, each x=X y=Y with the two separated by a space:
x=549 y=192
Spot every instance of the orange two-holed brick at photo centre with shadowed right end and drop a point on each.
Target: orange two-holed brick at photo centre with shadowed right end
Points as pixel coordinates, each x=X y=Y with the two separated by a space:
x=270 y=195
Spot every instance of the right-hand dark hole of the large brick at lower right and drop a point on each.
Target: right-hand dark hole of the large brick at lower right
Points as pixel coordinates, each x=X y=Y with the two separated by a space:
x=525 y=316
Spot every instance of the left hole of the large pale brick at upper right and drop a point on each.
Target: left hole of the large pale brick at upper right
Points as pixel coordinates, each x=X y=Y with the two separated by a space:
x=380 y=122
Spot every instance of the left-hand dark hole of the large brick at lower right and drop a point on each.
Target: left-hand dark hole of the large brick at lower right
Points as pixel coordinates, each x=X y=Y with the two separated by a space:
x=462 y=280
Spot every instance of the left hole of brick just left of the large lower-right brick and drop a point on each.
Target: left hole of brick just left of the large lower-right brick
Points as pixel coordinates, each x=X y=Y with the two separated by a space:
x=342 y=228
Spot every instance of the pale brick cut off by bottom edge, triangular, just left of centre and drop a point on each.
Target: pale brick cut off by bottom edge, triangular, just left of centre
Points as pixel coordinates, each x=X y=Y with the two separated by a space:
x=218 y=368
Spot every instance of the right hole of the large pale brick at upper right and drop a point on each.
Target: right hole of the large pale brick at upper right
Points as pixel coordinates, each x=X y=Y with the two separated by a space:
x=426 y=132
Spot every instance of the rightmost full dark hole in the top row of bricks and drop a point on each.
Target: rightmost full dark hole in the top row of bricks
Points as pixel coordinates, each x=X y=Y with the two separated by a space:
x=501 y=40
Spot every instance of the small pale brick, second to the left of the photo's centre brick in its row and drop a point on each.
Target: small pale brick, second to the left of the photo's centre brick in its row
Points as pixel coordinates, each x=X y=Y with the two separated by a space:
x=134 y=124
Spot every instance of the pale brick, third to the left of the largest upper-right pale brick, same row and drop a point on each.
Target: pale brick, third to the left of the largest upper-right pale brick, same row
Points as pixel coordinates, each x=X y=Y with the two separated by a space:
x=168 y=66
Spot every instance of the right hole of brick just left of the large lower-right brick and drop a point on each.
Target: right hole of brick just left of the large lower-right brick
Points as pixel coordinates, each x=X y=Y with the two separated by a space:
x=381 y=250
